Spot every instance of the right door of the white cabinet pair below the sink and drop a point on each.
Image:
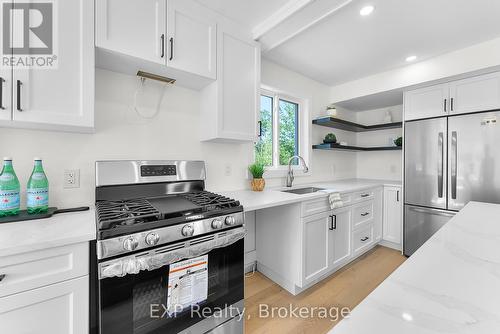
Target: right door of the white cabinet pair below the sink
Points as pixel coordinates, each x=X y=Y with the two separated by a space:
x=340 y=237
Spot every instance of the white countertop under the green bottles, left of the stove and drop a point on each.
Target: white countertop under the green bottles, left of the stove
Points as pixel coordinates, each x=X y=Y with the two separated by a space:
x=61 y=229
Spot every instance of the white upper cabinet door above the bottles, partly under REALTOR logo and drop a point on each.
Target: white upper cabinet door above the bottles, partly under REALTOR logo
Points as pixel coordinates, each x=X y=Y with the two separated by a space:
x=62 y=95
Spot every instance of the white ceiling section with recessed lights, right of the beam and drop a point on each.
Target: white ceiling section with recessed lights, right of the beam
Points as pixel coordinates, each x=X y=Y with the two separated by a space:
x=347 y=46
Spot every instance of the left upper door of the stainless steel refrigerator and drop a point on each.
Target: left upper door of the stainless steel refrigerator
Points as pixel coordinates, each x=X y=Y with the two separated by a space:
x=425 y=163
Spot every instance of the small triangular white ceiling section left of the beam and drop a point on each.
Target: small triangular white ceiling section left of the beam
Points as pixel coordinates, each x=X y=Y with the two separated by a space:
x=247 y=12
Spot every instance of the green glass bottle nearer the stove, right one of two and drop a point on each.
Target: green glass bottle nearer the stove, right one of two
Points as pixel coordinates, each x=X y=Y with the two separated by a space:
x=37 y=195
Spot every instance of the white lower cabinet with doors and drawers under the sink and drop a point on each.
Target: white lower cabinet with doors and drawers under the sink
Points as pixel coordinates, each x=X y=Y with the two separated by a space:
x=300 y=244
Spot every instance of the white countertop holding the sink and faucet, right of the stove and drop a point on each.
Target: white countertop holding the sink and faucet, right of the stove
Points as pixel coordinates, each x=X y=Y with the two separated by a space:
x=252 y=200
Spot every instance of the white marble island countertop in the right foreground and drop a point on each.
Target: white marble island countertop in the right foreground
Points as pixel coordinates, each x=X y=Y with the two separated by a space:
x=450 y=285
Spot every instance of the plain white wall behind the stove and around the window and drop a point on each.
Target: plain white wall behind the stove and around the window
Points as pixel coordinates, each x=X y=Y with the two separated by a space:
x=172 y=134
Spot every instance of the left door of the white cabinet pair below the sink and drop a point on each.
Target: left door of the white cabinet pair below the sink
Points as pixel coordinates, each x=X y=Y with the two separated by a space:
x=315 y=251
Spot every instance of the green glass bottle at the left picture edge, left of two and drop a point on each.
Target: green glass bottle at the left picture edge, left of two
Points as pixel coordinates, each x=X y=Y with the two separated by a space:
x=9 y=190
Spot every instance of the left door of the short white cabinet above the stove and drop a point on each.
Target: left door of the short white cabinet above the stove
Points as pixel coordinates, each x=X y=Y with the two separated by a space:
x=134 y=27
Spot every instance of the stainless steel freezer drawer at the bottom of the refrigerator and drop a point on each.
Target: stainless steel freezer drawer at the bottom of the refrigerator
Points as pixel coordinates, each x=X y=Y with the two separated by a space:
x=420 y=224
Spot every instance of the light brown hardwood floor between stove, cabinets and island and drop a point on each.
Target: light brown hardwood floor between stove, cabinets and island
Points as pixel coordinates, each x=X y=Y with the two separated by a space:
x=346 y=288
